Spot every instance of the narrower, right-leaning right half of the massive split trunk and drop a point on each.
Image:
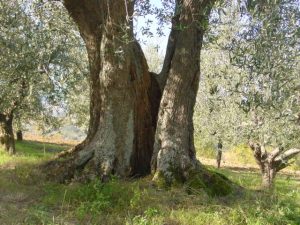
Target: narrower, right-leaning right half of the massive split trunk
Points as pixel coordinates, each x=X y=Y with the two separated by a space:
x=174 y=152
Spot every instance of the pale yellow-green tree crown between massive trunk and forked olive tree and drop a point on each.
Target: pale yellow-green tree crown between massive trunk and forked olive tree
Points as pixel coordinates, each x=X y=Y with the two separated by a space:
x=217 y=115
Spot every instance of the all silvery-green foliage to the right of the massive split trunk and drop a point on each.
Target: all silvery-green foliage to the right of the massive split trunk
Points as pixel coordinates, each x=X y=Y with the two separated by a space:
x=250 y=78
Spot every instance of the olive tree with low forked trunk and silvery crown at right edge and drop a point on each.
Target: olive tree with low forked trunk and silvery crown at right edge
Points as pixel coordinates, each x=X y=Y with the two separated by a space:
x=269 y=53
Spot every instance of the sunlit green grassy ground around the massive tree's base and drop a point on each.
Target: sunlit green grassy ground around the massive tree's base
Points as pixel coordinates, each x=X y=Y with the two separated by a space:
x=26 y=198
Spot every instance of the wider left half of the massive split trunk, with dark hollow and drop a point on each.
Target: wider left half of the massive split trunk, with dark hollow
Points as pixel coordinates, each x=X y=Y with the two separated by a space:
x=121 y=132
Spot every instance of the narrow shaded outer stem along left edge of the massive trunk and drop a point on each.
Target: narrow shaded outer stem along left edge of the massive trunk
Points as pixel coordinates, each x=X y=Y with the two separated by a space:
x=89 y=20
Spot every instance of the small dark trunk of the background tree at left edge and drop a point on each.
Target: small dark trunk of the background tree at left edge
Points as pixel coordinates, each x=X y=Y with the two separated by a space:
x=6 y=133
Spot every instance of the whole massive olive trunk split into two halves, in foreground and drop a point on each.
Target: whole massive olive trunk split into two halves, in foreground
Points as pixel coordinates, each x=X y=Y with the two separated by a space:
x=125 y=97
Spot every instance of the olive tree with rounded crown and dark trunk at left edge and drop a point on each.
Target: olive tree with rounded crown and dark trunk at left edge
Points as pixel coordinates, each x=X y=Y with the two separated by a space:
x=35 y=83
